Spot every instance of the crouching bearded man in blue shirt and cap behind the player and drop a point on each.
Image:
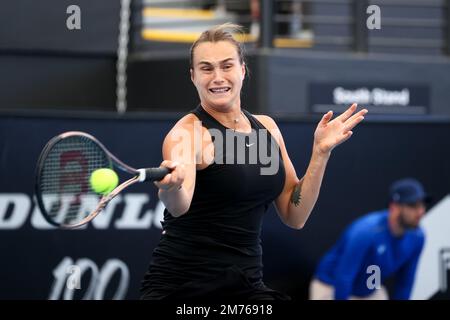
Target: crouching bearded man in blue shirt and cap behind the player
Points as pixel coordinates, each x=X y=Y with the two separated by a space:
x=374 y=247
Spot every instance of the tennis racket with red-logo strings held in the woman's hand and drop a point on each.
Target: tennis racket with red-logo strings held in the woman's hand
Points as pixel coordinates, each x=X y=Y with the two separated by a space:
x=62 y=186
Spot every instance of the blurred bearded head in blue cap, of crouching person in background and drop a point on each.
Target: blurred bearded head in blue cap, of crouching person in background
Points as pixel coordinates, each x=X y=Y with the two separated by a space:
x=407 y=202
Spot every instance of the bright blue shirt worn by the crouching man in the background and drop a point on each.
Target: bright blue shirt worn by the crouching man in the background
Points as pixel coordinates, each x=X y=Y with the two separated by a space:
x=368 y=241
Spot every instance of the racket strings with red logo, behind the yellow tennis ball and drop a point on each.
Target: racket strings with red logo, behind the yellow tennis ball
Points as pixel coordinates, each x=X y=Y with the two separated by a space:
x=64 y=182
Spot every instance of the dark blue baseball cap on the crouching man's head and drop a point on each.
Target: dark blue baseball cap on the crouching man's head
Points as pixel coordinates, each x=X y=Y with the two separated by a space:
x=407 y=191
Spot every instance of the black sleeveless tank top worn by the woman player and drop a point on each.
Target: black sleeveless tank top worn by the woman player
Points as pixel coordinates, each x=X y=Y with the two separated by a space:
x=223 y=224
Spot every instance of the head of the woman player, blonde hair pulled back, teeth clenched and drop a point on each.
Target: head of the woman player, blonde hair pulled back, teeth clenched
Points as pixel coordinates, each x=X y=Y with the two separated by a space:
x=218 y=67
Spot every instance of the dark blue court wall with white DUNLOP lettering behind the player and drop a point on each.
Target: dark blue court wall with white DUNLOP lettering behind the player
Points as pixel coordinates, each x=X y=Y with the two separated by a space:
x=356 y=181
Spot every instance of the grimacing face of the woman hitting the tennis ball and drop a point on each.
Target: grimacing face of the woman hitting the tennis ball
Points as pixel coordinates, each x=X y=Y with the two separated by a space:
x=218 y=74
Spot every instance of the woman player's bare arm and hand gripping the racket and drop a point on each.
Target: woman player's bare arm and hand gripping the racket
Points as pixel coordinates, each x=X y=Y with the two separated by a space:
x=179 y=153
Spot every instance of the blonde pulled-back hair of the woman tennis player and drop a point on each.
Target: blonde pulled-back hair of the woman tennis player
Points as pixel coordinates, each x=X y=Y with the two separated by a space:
x=223 y=32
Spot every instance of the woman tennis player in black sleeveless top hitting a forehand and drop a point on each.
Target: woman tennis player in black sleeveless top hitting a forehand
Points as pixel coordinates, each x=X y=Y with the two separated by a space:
x=222 y=184
